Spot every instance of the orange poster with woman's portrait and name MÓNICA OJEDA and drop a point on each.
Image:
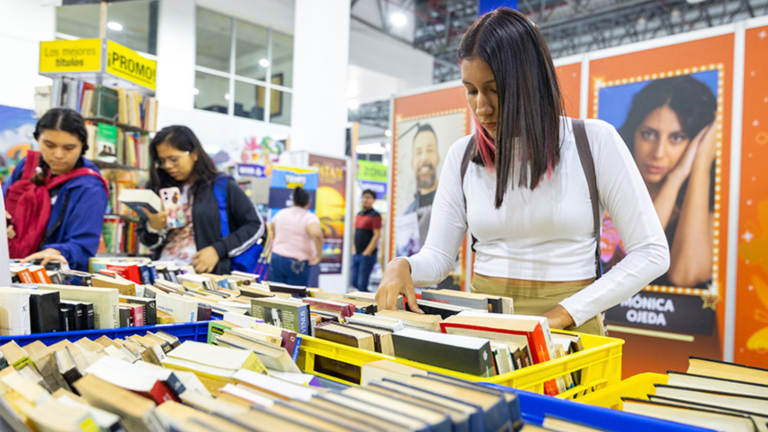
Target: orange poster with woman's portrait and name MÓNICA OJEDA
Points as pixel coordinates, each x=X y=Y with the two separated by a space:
x=672 y=106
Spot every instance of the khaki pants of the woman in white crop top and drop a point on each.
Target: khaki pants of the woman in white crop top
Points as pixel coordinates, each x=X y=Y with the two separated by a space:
x=535 y=300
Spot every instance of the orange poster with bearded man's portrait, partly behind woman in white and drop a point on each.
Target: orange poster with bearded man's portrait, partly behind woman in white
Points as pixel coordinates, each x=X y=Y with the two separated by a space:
x=425 y=126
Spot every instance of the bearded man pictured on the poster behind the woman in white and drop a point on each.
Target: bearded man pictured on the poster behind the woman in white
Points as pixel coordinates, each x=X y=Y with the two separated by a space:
x=425 y=160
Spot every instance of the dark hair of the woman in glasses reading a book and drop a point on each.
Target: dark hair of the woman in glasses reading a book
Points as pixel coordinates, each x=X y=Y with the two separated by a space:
x=181 y=138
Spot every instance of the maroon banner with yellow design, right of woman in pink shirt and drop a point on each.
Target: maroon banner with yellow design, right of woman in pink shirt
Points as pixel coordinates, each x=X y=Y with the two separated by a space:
x=331 y=208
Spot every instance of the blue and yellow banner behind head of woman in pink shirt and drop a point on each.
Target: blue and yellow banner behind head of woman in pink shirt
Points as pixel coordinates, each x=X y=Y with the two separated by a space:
x=284 y=181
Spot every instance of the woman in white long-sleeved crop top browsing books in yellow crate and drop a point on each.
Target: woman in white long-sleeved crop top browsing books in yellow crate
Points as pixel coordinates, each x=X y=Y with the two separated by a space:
x=520 y=188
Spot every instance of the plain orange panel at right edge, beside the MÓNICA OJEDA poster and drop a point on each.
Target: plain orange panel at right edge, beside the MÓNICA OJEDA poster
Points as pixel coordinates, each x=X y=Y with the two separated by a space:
x=751 y=341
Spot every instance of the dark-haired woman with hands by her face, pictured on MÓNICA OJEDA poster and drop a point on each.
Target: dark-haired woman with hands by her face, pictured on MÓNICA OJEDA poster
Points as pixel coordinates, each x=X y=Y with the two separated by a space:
x=671 y=131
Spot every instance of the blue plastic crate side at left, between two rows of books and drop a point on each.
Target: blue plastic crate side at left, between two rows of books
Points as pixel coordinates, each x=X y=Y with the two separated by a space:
x=196 y=331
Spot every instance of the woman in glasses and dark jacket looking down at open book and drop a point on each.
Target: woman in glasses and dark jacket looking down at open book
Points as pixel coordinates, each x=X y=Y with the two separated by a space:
x=179 y=160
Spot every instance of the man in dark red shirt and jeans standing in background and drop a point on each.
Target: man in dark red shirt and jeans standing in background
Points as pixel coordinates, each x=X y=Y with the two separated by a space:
x=364 y=248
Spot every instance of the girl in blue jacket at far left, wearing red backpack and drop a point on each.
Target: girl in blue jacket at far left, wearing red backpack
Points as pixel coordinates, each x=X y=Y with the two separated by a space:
x=77 y=207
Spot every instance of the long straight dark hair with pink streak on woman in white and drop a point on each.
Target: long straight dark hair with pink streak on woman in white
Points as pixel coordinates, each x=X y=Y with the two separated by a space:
x=530 y=103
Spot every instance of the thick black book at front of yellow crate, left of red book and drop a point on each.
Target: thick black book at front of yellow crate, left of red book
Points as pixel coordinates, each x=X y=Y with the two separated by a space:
x=473 y=361
